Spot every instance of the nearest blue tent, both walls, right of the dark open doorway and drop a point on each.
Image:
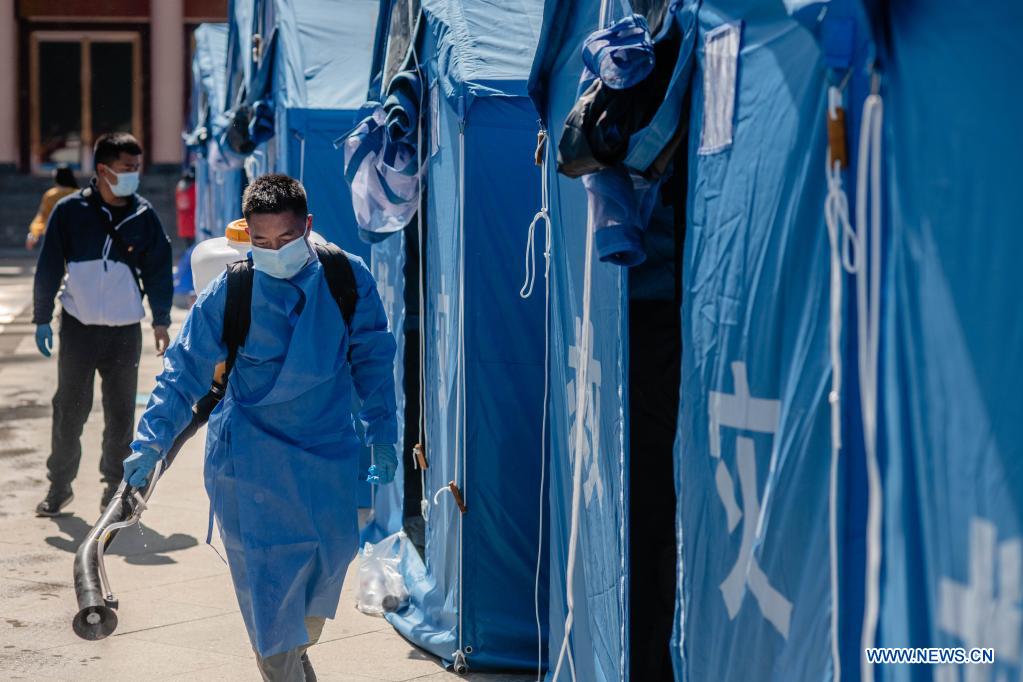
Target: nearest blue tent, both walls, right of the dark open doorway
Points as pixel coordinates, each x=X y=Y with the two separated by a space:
x=912 y=539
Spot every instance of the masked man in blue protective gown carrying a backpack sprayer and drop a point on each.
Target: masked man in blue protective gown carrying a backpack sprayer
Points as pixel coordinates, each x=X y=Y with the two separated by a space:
x=282 y=461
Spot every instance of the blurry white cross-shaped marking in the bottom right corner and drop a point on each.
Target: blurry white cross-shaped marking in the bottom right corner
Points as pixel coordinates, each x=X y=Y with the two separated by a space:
x=980 y=615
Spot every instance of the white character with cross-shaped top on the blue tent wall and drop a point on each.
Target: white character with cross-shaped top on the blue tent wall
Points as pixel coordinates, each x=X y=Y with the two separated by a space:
x=740 y=411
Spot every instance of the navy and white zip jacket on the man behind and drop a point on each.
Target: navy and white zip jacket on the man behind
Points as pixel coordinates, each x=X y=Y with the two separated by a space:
x=99 y=286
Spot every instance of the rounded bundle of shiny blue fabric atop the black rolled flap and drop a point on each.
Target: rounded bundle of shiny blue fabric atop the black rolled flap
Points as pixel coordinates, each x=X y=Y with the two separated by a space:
x=621 y=56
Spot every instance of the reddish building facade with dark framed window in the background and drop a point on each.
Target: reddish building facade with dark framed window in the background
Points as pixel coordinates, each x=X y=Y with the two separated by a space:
x=90 y=67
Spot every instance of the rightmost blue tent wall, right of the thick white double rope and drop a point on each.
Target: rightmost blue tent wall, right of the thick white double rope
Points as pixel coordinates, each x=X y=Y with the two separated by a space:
x=951 y=423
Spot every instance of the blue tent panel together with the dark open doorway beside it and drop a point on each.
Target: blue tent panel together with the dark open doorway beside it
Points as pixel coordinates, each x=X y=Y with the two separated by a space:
x=614 y=354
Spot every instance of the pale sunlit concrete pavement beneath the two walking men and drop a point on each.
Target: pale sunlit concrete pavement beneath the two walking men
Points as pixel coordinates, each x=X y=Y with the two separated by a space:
x=179 y=617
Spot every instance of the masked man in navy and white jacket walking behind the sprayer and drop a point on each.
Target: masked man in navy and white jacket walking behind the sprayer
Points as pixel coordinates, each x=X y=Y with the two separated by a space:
x=106 y=246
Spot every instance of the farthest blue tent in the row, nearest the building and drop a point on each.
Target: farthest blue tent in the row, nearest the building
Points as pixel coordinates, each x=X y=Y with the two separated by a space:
x=218 y=191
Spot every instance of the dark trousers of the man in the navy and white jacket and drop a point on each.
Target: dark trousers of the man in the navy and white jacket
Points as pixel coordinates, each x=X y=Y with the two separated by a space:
x=86 y=349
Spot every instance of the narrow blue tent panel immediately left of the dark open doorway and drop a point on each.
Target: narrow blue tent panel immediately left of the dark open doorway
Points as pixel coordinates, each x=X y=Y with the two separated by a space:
x=599 y=644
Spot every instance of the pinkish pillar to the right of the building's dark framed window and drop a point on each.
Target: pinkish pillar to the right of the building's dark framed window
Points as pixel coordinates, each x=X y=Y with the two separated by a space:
x=167 y=79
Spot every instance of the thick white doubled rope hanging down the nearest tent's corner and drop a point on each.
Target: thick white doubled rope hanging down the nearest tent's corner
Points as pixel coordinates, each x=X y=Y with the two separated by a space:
x=868 y=316
